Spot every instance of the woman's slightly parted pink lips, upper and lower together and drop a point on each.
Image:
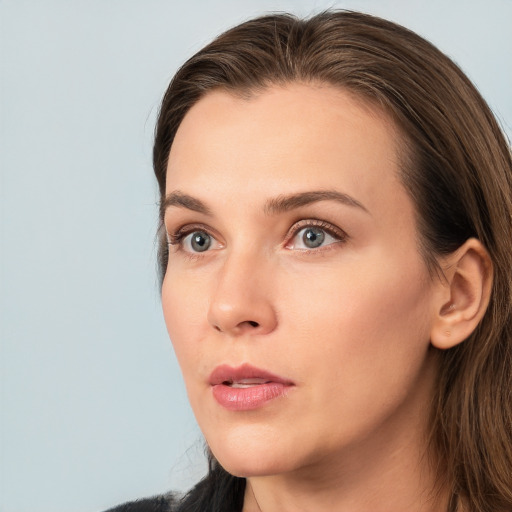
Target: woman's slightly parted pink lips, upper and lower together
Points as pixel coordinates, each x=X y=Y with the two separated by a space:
x=246 y=398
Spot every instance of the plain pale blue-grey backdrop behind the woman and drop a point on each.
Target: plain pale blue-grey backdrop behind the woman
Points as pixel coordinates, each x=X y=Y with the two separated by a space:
x=93 y=411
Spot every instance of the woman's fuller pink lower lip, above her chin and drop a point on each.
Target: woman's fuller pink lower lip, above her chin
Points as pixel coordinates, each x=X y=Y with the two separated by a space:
x=247 y=399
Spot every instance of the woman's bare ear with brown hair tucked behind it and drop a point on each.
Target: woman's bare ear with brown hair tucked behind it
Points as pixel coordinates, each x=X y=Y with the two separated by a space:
x=462 y=295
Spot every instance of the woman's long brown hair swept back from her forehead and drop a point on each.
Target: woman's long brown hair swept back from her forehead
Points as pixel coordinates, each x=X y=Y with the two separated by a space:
x=456 y=165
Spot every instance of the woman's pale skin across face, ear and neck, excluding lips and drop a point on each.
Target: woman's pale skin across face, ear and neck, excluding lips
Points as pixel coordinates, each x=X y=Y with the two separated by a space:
x=350 y=321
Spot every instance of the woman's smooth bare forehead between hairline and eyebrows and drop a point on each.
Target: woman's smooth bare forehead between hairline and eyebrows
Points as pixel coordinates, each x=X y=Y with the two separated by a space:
x=290 y=138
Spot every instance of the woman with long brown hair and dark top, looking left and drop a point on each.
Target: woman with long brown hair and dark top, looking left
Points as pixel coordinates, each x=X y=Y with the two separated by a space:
x=336 y=205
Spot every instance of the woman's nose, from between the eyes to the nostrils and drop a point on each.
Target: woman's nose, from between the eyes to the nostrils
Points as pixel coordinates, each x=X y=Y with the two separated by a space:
x=241 y=302
